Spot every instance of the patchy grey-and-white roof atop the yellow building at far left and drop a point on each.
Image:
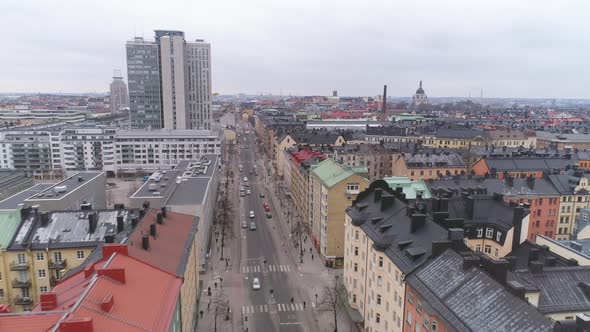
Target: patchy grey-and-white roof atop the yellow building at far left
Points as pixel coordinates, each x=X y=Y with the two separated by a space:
x=68 y=229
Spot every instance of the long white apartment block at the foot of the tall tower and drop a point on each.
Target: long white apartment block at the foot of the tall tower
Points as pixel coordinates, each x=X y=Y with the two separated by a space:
x=150 y=150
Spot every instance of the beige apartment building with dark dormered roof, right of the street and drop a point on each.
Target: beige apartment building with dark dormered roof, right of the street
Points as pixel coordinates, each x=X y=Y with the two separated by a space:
x=385 y=240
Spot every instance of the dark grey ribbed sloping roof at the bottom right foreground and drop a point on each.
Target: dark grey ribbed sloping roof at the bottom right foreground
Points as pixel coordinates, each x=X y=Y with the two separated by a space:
x=471 y=300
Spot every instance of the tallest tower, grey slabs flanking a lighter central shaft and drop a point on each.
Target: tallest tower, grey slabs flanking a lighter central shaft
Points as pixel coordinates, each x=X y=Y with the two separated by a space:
x=169 y=82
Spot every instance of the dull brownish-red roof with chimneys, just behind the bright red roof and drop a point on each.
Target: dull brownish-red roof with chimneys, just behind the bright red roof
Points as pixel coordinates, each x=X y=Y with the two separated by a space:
x=169 y=247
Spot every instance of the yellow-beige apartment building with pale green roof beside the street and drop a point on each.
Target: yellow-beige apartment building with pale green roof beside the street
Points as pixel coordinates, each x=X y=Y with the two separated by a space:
x=333 y=187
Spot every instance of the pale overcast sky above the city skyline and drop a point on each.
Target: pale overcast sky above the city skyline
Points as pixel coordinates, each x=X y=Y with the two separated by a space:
x=525 y=48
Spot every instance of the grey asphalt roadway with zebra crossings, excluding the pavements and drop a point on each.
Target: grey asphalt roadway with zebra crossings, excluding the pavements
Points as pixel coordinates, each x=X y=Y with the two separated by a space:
x=266 y=312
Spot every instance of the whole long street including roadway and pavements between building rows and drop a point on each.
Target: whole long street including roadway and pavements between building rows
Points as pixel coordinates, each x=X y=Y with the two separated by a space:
x=286 y=300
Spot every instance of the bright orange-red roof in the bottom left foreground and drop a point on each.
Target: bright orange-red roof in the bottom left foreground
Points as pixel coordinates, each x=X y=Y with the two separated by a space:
x=117 y=293
